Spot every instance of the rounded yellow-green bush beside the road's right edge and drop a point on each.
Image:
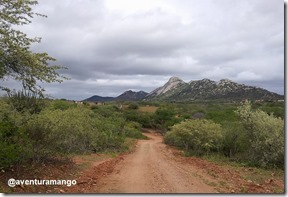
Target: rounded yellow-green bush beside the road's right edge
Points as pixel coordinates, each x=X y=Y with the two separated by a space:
x=195 y=136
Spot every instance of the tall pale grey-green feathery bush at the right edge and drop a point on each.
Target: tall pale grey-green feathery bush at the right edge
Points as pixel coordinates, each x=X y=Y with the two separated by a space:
x=265 y=134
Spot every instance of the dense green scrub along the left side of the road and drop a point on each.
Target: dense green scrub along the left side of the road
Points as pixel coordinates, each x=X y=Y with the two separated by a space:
x=37 y=129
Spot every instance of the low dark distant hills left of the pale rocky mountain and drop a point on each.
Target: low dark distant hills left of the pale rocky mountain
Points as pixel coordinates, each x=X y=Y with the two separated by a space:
x=126 y=96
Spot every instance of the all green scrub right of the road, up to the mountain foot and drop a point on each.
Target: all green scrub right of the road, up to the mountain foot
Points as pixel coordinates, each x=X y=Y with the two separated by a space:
x=250 y=133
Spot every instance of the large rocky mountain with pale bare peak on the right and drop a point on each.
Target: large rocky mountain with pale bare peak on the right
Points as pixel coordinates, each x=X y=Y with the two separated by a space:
x=177 y=90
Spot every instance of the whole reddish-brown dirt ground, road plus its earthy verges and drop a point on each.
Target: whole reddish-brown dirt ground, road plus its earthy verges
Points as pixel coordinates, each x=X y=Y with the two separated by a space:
x=152 y=168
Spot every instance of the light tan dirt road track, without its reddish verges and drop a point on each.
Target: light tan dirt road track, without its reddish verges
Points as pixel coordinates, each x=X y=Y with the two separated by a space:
x=152 y=168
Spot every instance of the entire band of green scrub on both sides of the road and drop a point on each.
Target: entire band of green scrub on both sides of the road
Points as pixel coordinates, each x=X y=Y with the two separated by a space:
x=37 y=129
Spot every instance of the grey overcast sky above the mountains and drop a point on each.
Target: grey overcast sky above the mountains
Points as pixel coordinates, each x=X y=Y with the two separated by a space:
x=110 y=46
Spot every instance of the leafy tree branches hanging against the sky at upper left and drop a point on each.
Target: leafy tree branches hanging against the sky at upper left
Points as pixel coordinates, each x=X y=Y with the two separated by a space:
x=17 y=61
